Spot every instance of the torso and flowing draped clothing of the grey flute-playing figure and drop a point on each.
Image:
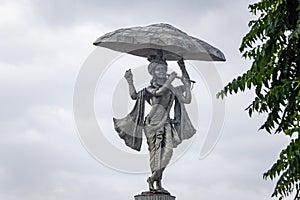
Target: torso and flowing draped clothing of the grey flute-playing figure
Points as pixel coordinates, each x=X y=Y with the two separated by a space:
x=162 y=133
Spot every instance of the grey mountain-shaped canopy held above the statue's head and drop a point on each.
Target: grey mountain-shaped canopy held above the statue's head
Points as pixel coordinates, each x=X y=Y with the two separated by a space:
x=159 y=39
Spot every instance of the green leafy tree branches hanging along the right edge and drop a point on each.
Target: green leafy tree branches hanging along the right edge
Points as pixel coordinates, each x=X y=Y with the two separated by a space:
x=273 y=46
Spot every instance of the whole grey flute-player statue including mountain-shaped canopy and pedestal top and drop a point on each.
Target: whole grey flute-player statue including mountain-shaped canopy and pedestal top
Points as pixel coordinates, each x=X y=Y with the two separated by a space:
x=158 y=43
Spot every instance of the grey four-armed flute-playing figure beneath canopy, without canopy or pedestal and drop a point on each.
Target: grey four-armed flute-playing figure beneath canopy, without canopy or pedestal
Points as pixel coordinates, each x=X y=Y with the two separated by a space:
x=162 y=132
